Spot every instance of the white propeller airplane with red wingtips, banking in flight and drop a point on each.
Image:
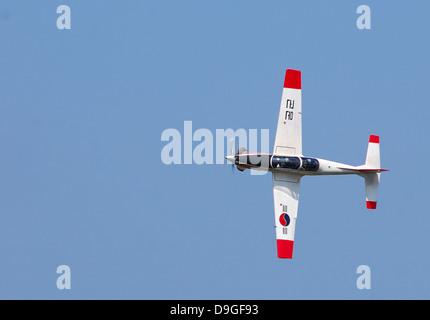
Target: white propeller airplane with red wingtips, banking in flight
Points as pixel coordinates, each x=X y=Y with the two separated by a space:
x=288 y=165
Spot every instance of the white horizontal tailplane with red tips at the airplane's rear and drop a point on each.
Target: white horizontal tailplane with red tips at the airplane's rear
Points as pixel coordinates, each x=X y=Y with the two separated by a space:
x=373 y=161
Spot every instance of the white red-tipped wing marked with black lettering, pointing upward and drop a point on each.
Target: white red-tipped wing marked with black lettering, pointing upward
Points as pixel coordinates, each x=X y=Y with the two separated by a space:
x=288 y=139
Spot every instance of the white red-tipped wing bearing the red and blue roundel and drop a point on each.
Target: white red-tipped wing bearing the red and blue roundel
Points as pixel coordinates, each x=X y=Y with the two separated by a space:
x=286 y=187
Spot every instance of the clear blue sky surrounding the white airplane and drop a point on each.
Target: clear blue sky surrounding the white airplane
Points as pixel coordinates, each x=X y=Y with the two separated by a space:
x=82 y=182
